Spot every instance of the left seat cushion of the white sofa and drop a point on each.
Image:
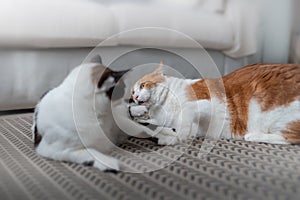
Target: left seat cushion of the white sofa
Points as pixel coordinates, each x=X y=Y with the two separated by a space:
x=55 y=23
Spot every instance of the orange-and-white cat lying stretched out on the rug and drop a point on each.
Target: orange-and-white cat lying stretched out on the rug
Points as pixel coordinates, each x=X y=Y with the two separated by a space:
x=259 y=103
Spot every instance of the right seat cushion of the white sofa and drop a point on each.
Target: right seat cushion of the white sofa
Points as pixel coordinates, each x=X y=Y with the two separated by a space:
x=210 y=29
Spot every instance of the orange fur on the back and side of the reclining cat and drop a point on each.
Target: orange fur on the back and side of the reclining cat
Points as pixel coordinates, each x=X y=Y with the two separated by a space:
x=272 y=85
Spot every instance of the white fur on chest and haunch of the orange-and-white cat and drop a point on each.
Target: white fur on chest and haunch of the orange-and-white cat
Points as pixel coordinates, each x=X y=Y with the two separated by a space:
x=169 y=107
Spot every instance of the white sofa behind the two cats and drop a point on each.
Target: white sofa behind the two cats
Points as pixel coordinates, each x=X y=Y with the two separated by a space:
x=41 y=41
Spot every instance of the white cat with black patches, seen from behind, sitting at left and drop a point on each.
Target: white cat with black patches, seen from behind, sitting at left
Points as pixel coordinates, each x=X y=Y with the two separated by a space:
x=74 y=122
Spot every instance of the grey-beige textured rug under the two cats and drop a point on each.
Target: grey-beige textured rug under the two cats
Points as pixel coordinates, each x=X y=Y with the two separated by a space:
x=232 y=170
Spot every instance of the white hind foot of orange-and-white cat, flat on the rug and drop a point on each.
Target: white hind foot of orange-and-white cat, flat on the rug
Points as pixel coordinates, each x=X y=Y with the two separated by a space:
x=272 y=138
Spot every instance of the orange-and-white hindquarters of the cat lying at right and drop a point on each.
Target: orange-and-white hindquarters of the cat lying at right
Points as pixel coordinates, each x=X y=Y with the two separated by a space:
x=268 y=93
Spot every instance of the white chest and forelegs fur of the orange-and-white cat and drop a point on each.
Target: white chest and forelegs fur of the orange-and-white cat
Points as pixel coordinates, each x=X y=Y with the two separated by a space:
x=170 y=107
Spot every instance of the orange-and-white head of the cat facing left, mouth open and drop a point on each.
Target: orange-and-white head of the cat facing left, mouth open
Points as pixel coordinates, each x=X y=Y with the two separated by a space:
x=142 y=90
